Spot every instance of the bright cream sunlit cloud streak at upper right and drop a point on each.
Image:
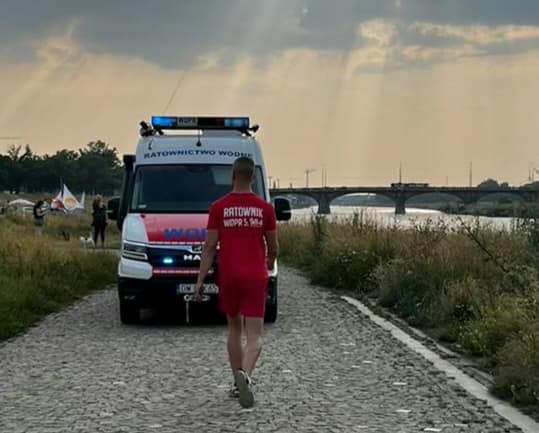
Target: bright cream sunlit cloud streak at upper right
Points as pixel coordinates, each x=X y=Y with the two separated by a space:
x=386 y=45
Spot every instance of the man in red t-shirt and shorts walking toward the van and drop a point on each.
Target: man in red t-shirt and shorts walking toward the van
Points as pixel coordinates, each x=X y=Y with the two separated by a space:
x=244 y=226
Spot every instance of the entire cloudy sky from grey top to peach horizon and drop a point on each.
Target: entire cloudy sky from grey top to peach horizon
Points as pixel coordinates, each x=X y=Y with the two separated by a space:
x=352 y=87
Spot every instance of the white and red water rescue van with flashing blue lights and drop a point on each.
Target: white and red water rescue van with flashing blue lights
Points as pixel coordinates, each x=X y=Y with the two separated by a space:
x=169 y=185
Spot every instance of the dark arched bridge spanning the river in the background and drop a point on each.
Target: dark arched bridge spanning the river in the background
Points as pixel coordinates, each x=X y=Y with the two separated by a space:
x=401 y=193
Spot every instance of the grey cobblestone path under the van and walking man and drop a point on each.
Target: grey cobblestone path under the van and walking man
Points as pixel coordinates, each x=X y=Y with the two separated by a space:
x=326 y=367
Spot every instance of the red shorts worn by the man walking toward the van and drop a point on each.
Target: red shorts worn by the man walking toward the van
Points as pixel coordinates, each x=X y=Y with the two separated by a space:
x=242 y=296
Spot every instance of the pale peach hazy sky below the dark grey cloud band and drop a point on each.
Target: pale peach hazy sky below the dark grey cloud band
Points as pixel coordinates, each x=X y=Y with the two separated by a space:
x=312 y=105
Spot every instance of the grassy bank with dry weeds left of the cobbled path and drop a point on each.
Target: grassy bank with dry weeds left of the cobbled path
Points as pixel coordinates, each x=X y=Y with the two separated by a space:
x=42 y=274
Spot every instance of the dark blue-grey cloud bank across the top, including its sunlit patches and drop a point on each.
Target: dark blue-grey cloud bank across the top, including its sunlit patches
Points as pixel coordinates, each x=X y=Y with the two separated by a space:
x=368 y=36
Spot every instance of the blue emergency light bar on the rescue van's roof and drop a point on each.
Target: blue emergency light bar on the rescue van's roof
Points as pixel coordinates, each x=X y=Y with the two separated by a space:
x=173 y=122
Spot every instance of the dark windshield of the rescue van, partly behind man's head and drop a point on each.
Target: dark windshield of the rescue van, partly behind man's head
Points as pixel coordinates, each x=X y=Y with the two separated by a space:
x=189 y=188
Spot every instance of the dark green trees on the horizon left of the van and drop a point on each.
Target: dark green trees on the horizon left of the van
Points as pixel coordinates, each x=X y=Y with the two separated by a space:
x=95 y=169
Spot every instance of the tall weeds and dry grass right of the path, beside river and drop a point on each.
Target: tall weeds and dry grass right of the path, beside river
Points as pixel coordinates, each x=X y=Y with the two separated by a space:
x=471 y=286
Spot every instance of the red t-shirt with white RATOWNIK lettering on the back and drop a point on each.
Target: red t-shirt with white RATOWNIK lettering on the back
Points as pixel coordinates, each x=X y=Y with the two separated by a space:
x=242 y=220
